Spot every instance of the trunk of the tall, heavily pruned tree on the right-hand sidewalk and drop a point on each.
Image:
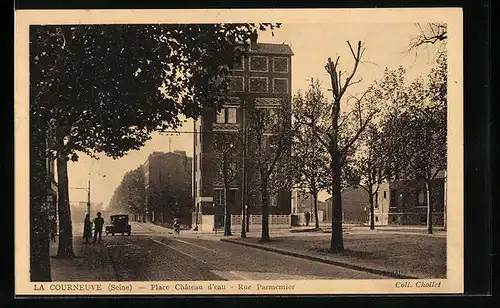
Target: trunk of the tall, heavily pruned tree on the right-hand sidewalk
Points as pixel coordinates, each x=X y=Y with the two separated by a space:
x=337 y=243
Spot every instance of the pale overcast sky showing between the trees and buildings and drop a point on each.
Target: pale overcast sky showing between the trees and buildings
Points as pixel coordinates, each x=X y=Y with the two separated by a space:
x=312 y=44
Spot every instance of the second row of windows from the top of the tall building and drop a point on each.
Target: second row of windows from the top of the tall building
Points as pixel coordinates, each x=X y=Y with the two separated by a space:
x=258 y=84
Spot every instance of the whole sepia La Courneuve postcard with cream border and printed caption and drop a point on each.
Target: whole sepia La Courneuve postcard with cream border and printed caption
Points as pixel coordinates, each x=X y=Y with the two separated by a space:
x=213 y=152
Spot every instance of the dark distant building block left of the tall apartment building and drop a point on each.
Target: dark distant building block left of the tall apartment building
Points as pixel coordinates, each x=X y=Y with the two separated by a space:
x=168 y=187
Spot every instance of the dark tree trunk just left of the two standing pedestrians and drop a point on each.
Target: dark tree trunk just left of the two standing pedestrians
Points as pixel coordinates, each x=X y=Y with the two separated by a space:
x=65 y=249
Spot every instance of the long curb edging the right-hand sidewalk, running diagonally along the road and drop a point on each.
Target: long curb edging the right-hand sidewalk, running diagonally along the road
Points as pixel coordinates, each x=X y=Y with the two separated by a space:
x=317 y=259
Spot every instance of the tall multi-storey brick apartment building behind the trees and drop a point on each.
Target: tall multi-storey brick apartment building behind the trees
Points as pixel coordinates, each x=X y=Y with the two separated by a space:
x=262 y=79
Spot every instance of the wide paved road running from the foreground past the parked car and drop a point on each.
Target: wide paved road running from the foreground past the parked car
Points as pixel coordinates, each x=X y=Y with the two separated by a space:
x=150 y=254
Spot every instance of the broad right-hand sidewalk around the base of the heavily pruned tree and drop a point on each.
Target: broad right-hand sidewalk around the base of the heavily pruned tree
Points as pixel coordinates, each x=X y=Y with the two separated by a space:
x=382 y=253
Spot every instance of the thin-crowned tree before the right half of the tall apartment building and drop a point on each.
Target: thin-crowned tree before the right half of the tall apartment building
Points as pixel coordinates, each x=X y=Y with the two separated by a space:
x=270 y=131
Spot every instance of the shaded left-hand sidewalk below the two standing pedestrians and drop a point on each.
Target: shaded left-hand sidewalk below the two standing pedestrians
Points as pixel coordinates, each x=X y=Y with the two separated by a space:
x=91 y=262
